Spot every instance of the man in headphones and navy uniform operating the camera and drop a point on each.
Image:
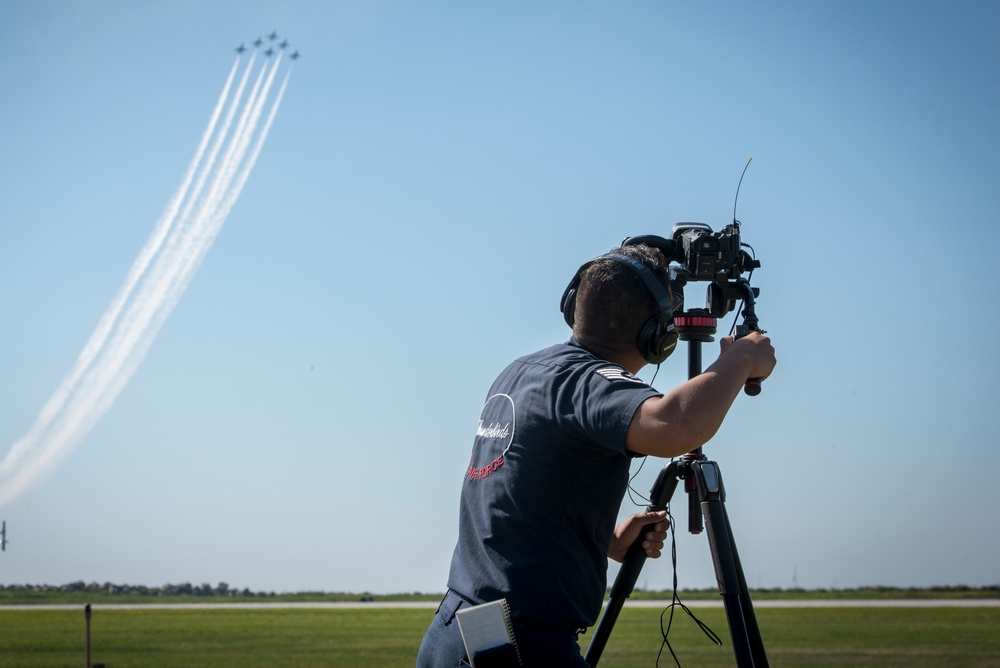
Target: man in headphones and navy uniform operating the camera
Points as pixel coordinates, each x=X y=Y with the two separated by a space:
x=550 y=462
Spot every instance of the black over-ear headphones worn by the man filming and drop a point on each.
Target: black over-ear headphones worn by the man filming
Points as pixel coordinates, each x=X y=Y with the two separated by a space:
x=657 y=336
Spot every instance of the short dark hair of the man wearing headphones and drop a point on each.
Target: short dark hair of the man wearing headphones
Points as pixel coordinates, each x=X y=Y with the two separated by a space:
x=613 y=303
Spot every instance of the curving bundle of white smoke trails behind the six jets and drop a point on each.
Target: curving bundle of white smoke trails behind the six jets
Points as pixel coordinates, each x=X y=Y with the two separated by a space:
x=156 y=280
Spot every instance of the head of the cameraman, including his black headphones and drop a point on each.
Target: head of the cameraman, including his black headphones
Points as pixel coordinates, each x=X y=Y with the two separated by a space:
x=620 y=303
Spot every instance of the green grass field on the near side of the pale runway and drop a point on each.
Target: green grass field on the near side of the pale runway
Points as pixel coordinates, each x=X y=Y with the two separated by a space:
x=384 y=638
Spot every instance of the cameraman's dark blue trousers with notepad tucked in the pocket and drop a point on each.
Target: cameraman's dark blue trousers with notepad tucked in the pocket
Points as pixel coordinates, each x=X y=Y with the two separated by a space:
x=541 y=647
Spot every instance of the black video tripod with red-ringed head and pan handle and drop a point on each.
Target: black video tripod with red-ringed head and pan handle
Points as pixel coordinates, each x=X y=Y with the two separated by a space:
x=702 y=478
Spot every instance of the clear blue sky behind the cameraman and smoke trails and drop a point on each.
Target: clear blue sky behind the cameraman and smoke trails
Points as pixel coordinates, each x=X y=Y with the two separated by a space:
x=435 y=175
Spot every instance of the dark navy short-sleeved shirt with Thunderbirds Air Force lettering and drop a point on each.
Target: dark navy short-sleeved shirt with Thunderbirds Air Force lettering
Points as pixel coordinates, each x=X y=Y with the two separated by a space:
x=543 y=487
